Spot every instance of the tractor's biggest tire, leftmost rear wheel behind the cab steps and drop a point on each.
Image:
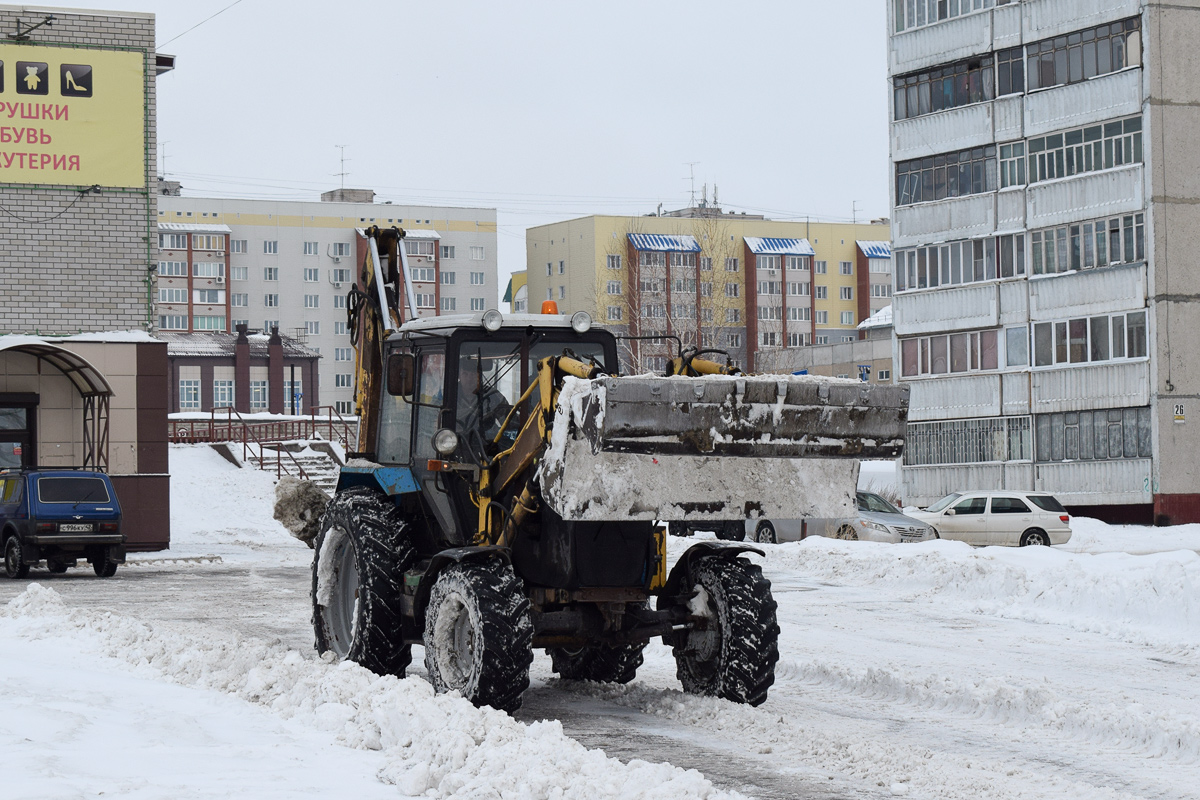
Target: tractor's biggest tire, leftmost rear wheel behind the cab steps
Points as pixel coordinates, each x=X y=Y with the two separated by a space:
x=358 y=573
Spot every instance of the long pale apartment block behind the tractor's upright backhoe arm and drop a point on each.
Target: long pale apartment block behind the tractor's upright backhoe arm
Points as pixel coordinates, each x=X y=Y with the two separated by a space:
x=289 y=264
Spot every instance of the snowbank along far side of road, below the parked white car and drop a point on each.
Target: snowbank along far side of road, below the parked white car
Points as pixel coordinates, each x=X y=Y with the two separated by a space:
x=1151 y=599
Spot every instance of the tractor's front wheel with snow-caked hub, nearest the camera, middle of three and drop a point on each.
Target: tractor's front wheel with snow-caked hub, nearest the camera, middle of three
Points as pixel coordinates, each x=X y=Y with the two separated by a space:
x=479 y=635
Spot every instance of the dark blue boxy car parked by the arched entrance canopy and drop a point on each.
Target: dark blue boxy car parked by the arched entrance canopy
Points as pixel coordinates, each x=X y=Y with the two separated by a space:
x=59 y=516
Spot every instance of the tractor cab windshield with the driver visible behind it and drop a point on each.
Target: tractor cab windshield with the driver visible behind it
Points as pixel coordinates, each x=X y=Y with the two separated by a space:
x=489 y=387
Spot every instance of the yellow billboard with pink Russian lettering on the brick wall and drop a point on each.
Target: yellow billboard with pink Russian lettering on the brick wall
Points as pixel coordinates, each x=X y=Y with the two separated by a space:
x=73 y=117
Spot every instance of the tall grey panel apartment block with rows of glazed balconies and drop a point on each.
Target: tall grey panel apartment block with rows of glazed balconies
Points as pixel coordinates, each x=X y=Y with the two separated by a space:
x=1046 y=206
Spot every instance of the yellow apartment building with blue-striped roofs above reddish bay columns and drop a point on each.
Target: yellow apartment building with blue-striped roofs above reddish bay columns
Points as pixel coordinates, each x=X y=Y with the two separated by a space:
x=706 y=279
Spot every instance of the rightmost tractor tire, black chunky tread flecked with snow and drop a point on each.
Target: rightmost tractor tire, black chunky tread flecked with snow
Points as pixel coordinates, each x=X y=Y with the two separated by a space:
x=734 y=651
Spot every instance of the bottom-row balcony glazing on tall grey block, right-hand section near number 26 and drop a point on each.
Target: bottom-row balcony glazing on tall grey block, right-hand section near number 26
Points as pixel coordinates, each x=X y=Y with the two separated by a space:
x=1094 y=436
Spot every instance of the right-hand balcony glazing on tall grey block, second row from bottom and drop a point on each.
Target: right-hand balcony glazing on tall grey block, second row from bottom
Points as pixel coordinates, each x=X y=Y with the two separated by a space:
x=1090 y=339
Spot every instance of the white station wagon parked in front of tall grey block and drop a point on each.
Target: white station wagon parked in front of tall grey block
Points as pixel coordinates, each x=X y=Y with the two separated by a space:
x=1013 y=519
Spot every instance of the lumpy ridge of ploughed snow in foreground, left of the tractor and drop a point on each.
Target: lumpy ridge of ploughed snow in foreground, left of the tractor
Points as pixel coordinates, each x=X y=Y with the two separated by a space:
x=435 y=745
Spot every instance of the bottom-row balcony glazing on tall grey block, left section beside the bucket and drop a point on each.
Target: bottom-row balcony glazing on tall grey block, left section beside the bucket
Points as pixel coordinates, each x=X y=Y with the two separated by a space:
x=969 y=442
